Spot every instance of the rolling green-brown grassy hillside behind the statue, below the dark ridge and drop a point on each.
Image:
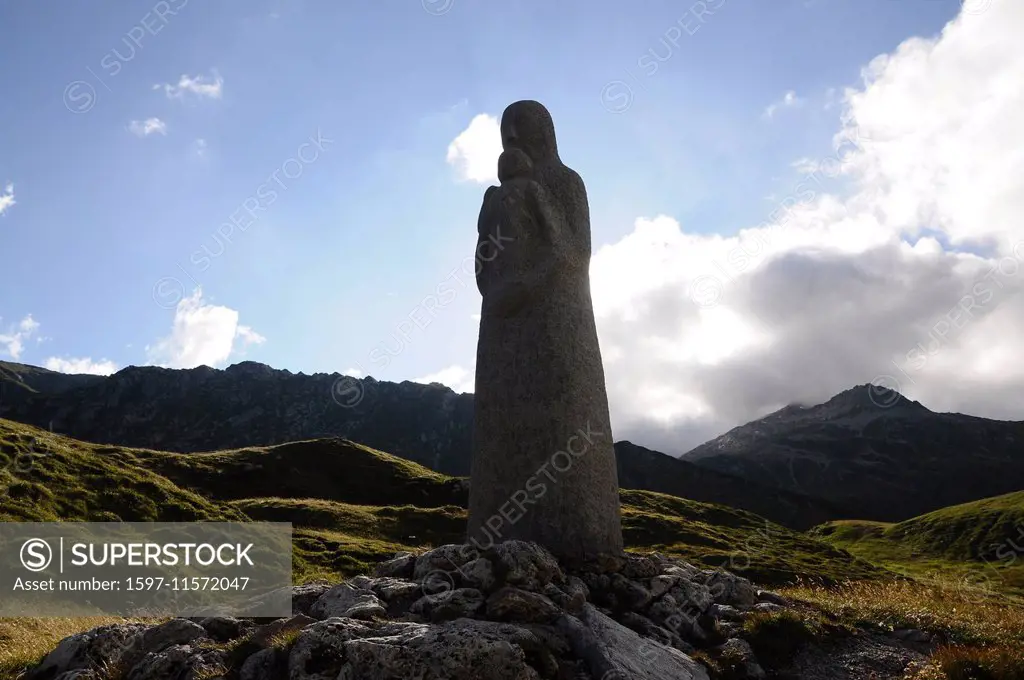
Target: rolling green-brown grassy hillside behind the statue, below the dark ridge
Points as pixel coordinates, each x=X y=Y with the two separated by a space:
x=353 y=506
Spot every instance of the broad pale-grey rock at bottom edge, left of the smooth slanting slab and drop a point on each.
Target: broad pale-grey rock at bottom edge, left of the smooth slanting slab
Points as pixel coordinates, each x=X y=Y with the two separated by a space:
x=460 y=651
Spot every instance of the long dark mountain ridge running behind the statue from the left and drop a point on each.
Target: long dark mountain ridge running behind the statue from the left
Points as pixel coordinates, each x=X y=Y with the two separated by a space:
x=251 y=405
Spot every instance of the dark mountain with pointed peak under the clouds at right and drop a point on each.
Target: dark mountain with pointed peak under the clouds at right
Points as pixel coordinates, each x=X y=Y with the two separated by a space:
x=874 y=454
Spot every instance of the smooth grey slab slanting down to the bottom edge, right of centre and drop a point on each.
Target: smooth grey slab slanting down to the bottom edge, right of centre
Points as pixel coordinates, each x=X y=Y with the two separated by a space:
x=613 y=652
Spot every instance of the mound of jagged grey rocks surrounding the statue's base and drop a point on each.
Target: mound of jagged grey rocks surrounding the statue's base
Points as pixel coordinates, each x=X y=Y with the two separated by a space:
x=511 y=613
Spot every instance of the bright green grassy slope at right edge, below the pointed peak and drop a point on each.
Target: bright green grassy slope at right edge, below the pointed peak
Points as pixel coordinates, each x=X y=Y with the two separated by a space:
x=980 y=544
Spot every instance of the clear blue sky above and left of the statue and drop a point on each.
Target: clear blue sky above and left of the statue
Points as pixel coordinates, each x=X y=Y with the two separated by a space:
x=131 y=134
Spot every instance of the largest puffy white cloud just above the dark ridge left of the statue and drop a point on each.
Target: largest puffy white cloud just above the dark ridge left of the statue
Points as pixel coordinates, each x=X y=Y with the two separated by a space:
x=203 y=334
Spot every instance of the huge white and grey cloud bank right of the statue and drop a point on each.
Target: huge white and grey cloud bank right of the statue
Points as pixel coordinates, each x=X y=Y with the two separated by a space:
x=917 y=278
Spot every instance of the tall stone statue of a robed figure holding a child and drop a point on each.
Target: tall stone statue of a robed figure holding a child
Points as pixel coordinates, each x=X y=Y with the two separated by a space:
x=543 y=467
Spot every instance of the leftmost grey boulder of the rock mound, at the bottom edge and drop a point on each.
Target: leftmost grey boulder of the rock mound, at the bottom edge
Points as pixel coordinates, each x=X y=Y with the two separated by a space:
x=104 y=647
